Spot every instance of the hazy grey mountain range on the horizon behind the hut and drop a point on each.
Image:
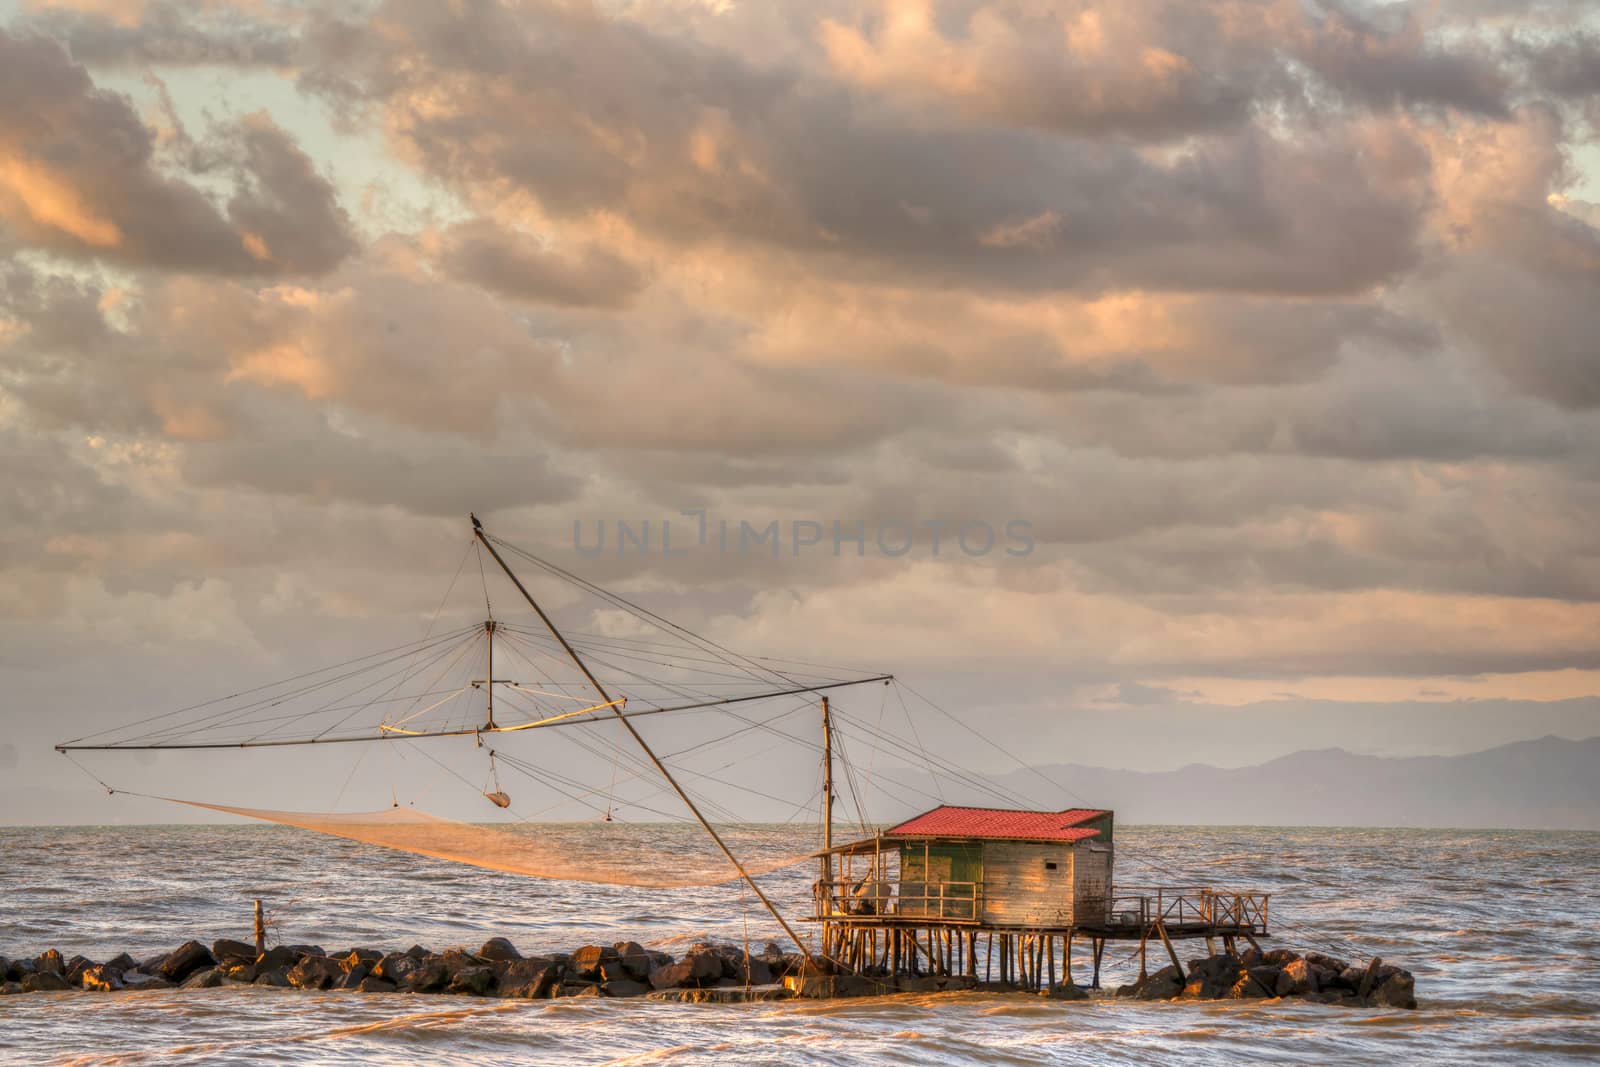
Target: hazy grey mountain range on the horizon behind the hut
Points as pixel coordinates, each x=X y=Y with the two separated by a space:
x=1551 y=783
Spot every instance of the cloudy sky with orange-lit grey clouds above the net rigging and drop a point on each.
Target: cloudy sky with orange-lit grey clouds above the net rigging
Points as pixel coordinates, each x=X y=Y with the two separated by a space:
x=1273 y=322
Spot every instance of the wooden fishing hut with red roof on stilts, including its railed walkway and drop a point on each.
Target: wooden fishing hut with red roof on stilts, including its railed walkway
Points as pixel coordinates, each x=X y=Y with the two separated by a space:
x=1001 y=897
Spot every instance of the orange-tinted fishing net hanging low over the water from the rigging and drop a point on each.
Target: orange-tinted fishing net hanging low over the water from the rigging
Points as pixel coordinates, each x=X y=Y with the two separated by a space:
x=514 y=852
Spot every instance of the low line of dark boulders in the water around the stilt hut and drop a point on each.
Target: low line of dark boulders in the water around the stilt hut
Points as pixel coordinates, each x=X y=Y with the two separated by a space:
x=706 y=973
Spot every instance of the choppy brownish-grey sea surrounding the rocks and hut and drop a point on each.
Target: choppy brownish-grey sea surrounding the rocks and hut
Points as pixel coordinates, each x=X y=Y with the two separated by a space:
x=1502 y=930
